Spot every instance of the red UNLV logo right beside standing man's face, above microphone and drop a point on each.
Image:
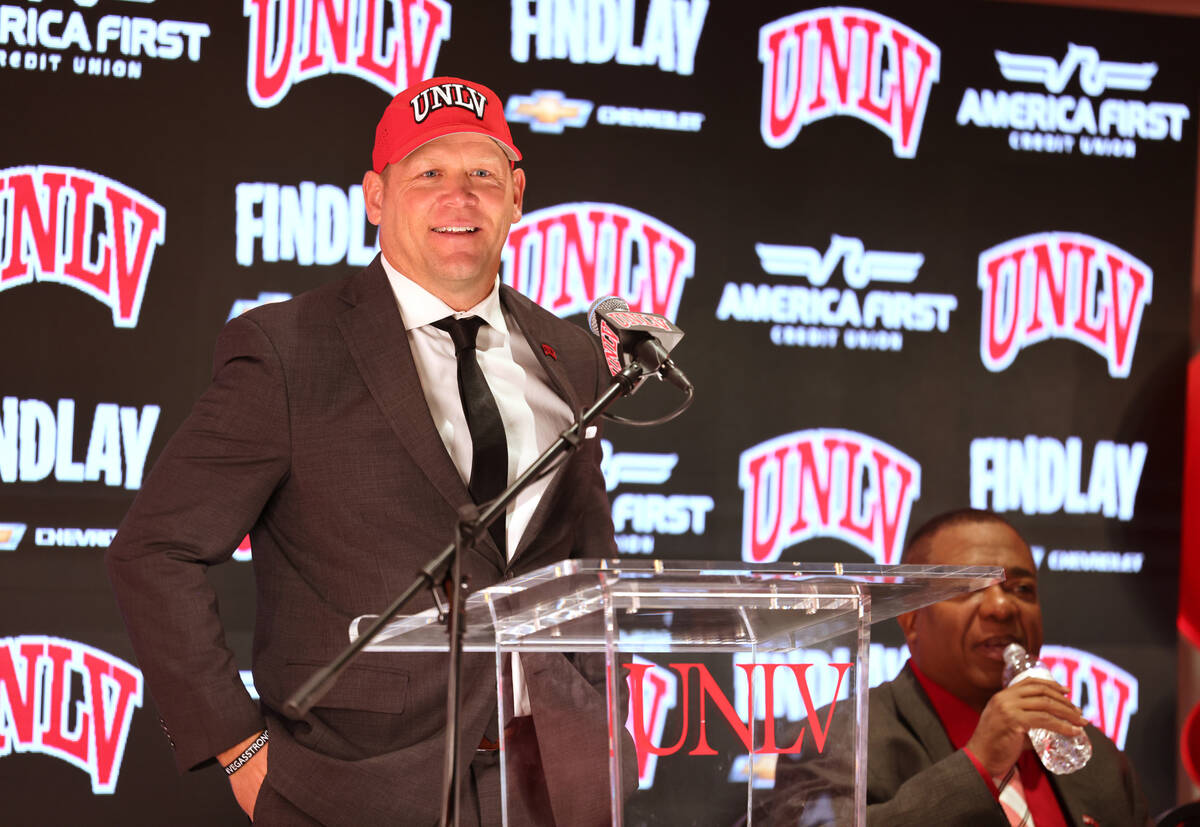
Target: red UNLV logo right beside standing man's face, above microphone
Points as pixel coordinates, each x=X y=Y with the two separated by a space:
x=566 y=257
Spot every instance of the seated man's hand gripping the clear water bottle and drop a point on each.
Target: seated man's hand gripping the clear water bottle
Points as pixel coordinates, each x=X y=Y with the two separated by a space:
x=1034 y=704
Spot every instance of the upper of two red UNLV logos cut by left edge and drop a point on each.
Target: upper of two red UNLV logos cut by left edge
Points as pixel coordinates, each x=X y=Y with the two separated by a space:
x=80 y=229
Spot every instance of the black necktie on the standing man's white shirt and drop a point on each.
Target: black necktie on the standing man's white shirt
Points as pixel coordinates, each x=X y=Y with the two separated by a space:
x=490 y=450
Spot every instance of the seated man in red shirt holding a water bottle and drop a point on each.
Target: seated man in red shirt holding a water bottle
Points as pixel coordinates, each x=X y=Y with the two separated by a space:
x=946 y=744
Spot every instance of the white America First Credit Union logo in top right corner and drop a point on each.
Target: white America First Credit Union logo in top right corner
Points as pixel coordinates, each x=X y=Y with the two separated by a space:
x=1054 y=122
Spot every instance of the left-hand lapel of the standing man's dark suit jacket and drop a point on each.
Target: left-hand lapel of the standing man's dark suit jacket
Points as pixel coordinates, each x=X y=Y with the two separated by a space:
x=375 y=335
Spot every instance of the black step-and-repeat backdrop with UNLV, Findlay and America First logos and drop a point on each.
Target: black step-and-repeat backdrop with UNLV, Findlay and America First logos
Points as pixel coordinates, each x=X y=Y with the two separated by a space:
x=927 y=256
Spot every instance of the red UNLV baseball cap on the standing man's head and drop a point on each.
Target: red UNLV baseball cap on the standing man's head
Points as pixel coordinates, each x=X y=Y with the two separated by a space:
x=437 y=107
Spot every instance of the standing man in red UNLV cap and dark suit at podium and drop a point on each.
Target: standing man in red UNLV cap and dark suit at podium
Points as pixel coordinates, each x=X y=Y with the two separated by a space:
x=345 y=430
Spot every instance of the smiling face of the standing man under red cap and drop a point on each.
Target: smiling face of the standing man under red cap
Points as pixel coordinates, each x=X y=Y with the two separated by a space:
x=445 y=213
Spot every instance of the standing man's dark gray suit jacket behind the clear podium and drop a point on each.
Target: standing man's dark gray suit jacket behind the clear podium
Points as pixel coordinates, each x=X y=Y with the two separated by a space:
x=316 y=439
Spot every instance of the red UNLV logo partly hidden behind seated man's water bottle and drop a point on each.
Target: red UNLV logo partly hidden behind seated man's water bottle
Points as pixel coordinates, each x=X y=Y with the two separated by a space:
x=1107 y=694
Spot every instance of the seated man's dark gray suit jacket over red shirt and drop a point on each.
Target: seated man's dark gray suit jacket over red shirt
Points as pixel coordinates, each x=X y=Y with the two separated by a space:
x=916 y=777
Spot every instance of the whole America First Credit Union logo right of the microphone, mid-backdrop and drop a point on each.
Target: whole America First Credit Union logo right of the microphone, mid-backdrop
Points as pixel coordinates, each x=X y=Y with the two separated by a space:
x=821 y=316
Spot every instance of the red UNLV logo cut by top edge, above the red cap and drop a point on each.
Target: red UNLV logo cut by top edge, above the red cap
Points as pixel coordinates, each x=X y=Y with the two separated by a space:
x=391 y=44
